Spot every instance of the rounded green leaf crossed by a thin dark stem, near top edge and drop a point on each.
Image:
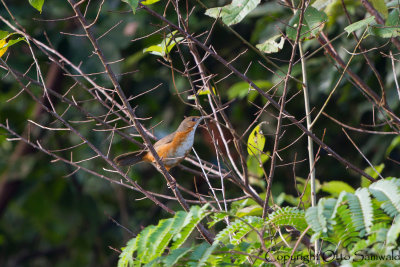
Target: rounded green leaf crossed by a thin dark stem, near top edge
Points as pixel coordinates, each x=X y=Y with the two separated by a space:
x=313 y=23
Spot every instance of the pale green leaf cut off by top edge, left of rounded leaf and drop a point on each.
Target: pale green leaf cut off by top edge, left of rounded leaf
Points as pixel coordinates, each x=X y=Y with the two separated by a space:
x=234 y=12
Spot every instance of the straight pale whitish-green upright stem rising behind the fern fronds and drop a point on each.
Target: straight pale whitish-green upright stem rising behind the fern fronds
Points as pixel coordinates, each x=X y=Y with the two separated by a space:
x=309 y=141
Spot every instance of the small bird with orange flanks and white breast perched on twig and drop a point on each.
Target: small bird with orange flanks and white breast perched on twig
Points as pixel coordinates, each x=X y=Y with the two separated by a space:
x=172 y=149
